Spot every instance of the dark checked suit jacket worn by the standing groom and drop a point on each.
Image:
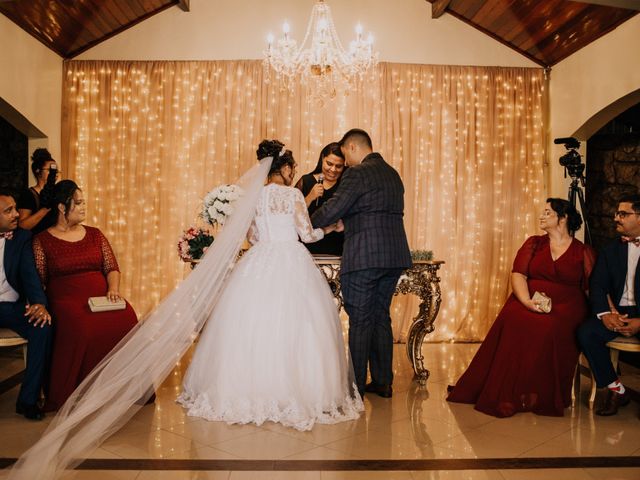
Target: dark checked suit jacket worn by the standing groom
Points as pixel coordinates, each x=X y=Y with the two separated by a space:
x=370 y=201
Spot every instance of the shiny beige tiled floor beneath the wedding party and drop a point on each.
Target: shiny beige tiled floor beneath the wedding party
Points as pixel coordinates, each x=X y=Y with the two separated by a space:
x=416 y=424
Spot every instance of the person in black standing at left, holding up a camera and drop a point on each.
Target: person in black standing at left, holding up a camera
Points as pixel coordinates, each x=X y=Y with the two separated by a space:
x=33 y=202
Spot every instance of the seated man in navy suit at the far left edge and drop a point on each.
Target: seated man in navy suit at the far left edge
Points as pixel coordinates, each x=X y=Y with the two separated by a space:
x=22 y=303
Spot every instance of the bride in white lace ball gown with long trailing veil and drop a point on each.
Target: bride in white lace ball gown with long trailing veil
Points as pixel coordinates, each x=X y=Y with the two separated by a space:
x=272 y=349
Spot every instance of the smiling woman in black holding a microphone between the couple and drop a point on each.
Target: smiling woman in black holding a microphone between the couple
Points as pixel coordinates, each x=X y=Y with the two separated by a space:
x=319 y=186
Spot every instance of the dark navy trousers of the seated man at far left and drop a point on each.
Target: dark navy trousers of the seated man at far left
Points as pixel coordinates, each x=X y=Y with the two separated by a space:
x=39 y=338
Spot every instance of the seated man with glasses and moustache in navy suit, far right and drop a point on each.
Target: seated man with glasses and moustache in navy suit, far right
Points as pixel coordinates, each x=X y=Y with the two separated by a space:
x=614 y=294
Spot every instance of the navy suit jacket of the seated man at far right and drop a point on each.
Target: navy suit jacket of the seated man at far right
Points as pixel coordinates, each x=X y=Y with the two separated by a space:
x=609 y=276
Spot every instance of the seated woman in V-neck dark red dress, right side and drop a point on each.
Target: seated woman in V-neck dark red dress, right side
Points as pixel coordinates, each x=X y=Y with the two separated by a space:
x=527 y=361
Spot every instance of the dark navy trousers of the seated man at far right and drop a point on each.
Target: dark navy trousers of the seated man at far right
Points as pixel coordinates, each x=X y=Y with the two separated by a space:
x=593 y=337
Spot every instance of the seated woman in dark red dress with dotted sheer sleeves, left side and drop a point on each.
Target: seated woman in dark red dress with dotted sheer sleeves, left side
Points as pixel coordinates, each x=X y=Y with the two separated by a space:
x=76 y=262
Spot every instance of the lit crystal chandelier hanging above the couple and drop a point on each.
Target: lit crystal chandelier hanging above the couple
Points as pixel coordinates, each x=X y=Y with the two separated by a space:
x=320 y=62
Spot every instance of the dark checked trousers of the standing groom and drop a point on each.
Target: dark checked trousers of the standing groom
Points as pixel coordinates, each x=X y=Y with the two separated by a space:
x=367 y=297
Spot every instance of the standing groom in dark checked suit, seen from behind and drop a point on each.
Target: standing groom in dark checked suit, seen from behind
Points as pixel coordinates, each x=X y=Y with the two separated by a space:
x=370 y=202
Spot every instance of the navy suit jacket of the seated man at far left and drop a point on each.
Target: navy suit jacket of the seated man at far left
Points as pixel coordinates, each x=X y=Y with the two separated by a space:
x=20 y=268
